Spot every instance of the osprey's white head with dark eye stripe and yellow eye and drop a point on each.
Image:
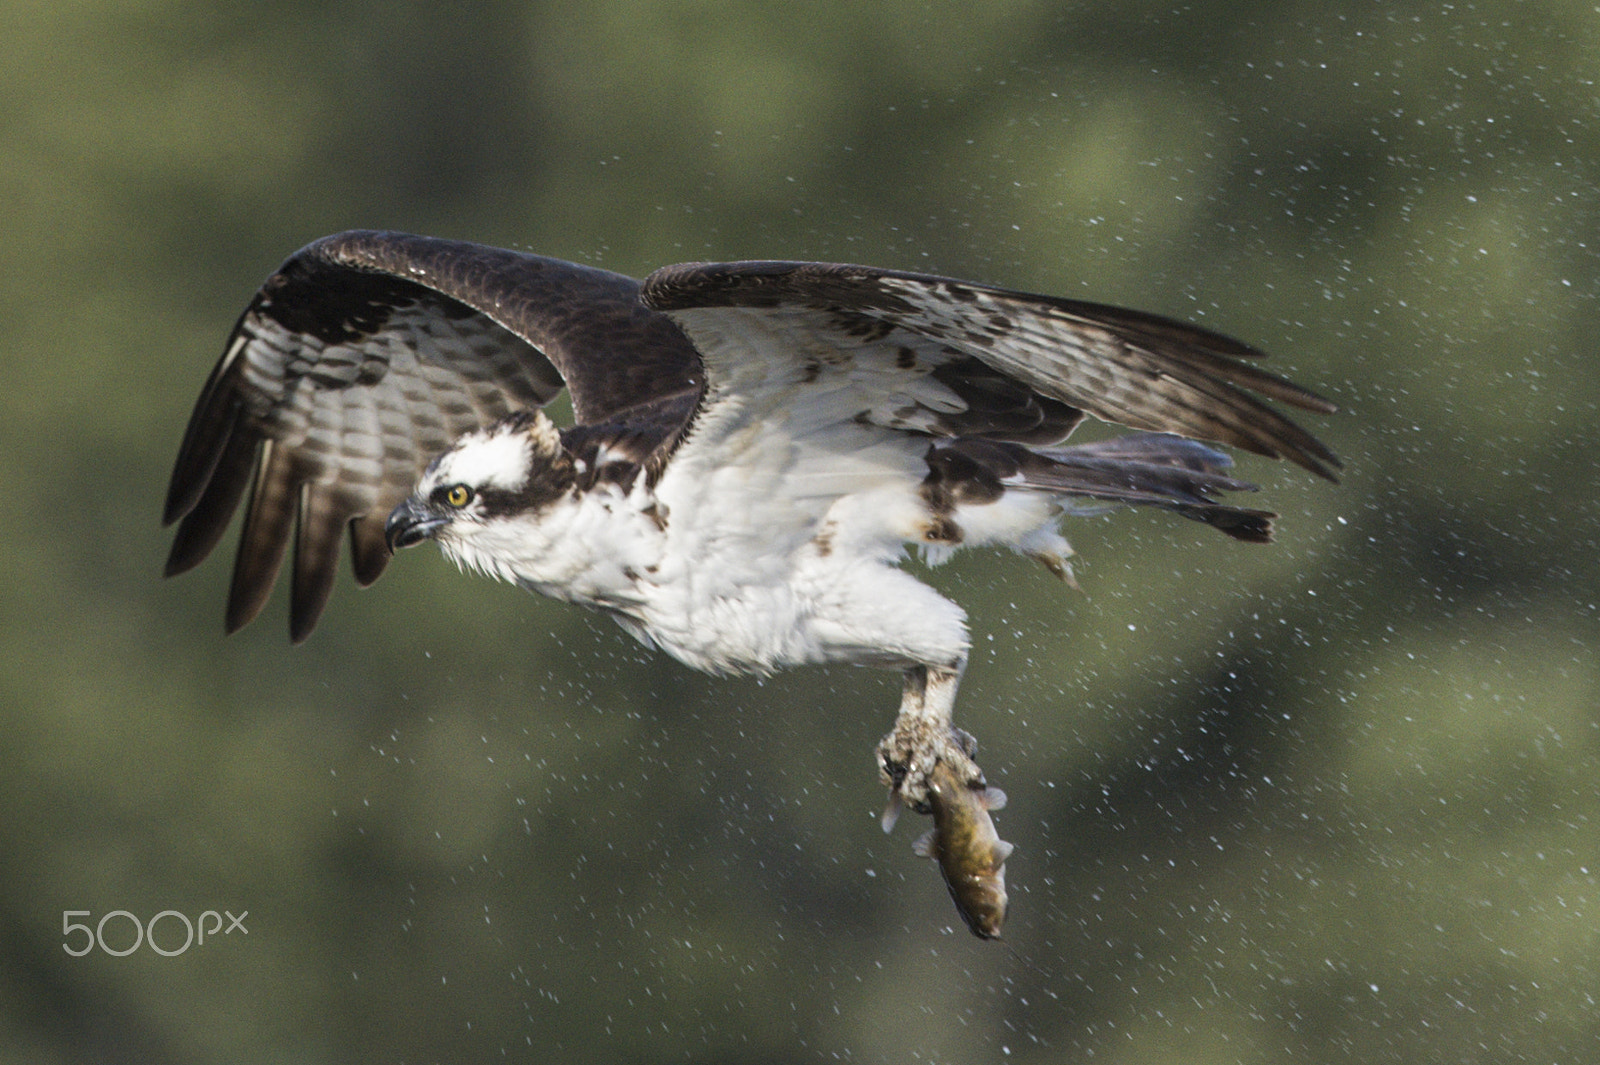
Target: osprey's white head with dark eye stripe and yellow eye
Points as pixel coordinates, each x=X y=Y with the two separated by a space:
x=489 y=476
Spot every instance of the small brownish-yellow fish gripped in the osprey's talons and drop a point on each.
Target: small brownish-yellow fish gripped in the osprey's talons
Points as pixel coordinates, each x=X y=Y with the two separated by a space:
x=969 y=848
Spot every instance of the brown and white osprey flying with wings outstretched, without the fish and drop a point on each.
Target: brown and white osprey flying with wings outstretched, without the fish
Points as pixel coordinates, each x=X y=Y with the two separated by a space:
x=754 y=449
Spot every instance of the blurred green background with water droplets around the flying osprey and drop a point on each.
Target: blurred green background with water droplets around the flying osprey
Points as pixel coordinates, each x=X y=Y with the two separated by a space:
x=1334 y=800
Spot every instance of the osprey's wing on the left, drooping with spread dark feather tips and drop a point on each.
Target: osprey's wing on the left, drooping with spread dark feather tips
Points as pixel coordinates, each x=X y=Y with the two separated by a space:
x=366 y=356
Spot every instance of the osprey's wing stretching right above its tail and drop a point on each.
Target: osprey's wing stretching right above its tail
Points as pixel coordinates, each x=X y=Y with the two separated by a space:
x=954 y=359
